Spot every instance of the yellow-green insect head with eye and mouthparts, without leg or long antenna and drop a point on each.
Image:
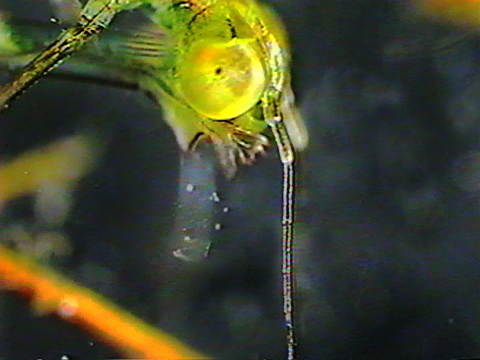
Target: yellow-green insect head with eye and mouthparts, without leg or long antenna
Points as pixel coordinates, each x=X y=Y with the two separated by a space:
x=222 y=65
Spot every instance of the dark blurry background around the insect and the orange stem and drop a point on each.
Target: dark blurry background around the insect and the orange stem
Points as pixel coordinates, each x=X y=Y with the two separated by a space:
x=387 y=237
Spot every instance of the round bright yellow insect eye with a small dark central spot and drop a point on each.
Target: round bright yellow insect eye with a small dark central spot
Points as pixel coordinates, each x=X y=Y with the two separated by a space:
x=222 y=79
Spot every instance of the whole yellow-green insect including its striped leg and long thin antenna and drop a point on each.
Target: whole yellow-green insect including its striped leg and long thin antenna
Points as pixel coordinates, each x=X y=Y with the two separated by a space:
x=219 y=69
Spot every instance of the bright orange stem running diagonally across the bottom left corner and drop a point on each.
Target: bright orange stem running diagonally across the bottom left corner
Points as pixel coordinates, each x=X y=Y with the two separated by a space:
x=50 y=292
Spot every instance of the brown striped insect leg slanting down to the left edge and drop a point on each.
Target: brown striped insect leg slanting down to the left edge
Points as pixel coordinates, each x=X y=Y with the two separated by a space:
x=95 y=17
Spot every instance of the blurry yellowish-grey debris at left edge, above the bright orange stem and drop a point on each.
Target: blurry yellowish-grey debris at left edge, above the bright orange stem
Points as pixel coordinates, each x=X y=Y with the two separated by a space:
x=49 y=174
